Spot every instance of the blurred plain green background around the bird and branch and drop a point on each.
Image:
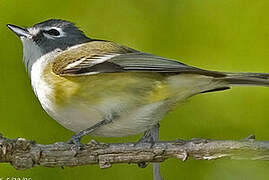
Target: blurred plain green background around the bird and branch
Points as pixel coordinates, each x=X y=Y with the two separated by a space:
x=223 y=35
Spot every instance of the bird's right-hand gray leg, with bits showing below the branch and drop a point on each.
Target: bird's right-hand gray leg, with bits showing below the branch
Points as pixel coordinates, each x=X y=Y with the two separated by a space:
x=152 y=136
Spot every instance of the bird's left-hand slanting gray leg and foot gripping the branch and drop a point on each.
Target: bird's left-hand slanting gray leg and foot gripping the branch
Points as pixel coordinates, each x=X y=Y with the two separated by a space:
x=75 y=139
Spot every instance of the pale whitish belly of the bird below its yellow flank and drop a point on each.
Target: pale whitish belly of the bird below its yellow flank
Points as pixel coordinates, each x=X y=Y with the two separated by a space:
x=128 y=122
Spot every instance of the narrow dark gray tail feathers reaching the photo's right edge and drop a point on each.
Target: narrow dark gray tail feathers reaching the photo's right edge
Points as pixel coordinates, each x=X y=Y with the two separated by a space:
x=250 y=79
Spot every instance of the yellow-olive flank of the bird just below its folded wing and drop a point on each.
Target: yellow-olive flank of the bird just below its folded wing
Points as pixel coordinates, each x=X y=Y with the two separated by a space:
x=135 y=87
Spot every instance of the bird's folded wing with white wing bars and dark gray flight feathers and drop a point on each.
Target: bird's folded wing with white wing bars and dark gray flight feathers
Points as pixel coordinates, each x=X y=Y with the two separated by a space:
x=120 y=60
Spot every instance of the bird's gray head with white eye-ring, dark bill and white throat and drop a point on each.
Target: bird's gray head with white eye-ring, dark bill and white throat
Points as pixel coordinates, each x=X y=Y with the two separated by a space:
x=47 y=36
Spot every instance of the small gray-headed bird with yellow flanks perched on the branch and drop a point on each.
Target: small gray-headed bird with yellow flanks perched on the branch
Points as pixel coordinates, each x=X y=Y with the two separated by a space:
x=101 y=88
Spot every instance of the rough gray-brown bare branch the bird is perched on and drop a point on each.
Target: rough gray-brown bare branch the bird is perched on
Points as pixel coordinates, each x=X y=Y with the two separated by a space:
x=25 y=154
